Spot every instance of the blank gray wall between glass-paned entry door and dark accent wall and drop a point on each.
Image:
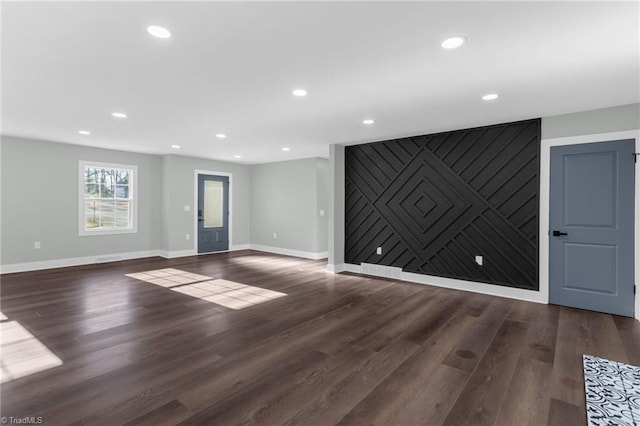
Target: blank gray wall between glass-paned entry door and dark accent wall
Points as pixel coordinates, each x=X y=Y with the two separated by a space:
x=286 y=198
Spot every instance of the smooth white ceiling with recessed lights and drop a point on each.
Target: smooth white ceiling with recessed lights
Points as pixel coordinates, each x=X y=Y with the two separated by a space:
x=230 y=68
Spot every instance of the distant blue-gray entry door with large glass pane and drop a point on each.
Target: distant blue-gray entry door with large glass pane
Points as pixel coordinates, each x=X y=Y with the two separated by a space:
x=213 y=213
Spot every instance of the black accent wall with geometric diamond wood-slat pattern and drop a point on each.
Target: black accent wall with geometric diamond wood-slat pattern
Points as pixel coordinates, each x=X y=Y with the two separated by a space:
x=434 y=202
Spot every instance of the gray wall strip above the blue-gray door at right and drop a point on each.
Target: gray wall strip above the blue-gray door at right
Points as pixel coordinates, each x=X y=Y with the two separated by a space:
x=615 y=119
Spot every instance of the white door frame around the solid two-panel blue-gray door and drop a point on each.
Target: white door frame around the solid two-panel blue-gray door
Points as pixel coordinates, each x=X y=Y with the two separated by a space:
x=545 y=170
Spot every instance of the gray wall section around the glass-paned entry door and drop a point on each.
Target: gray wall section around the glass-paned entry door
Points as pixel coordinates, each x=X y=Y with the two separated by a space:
x=179 y=191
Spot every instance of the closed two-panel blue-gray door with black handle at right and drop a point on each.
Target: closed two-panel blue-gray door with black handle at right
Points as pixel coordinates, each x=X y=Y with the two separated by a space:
x=592 y=226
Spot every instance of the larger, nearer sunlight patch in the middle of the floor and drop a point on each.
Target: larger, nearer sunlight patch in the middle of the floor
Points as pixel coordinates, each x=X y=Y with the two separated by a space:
x=228 y=293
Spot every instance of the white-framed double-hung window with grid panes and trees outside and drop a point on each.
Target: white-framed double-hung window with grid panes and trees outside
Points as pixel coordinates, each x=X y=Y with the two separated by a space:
x=107 y=198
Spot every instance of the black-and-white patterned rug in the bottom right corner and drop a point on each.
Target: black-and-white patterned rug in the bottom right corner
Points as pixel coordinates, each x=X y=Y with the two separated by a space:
x=612 y=392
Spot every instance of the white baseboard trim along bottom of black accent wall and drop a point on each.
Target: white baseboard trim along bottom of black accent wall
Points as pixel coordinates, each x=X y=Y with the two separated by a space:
x=453 y=284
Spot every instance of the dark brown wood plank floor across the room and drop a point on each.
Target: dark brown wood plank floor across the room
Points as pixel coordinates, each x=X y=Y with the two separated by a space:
x=338 y=349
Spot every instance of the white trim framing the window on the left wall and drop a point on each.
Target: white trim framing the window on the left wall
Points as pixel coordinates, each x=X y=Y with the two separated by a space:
x=134 y=198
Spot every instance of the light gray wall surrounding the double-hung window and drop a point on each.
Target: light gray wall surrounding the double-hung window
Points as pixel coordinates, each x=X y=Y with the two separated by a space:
x=40 y=202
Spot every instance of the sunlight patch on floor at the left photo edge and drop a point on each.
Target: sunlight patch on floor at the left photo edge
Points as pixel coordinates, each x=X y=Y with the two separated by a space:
x=22 y=353
